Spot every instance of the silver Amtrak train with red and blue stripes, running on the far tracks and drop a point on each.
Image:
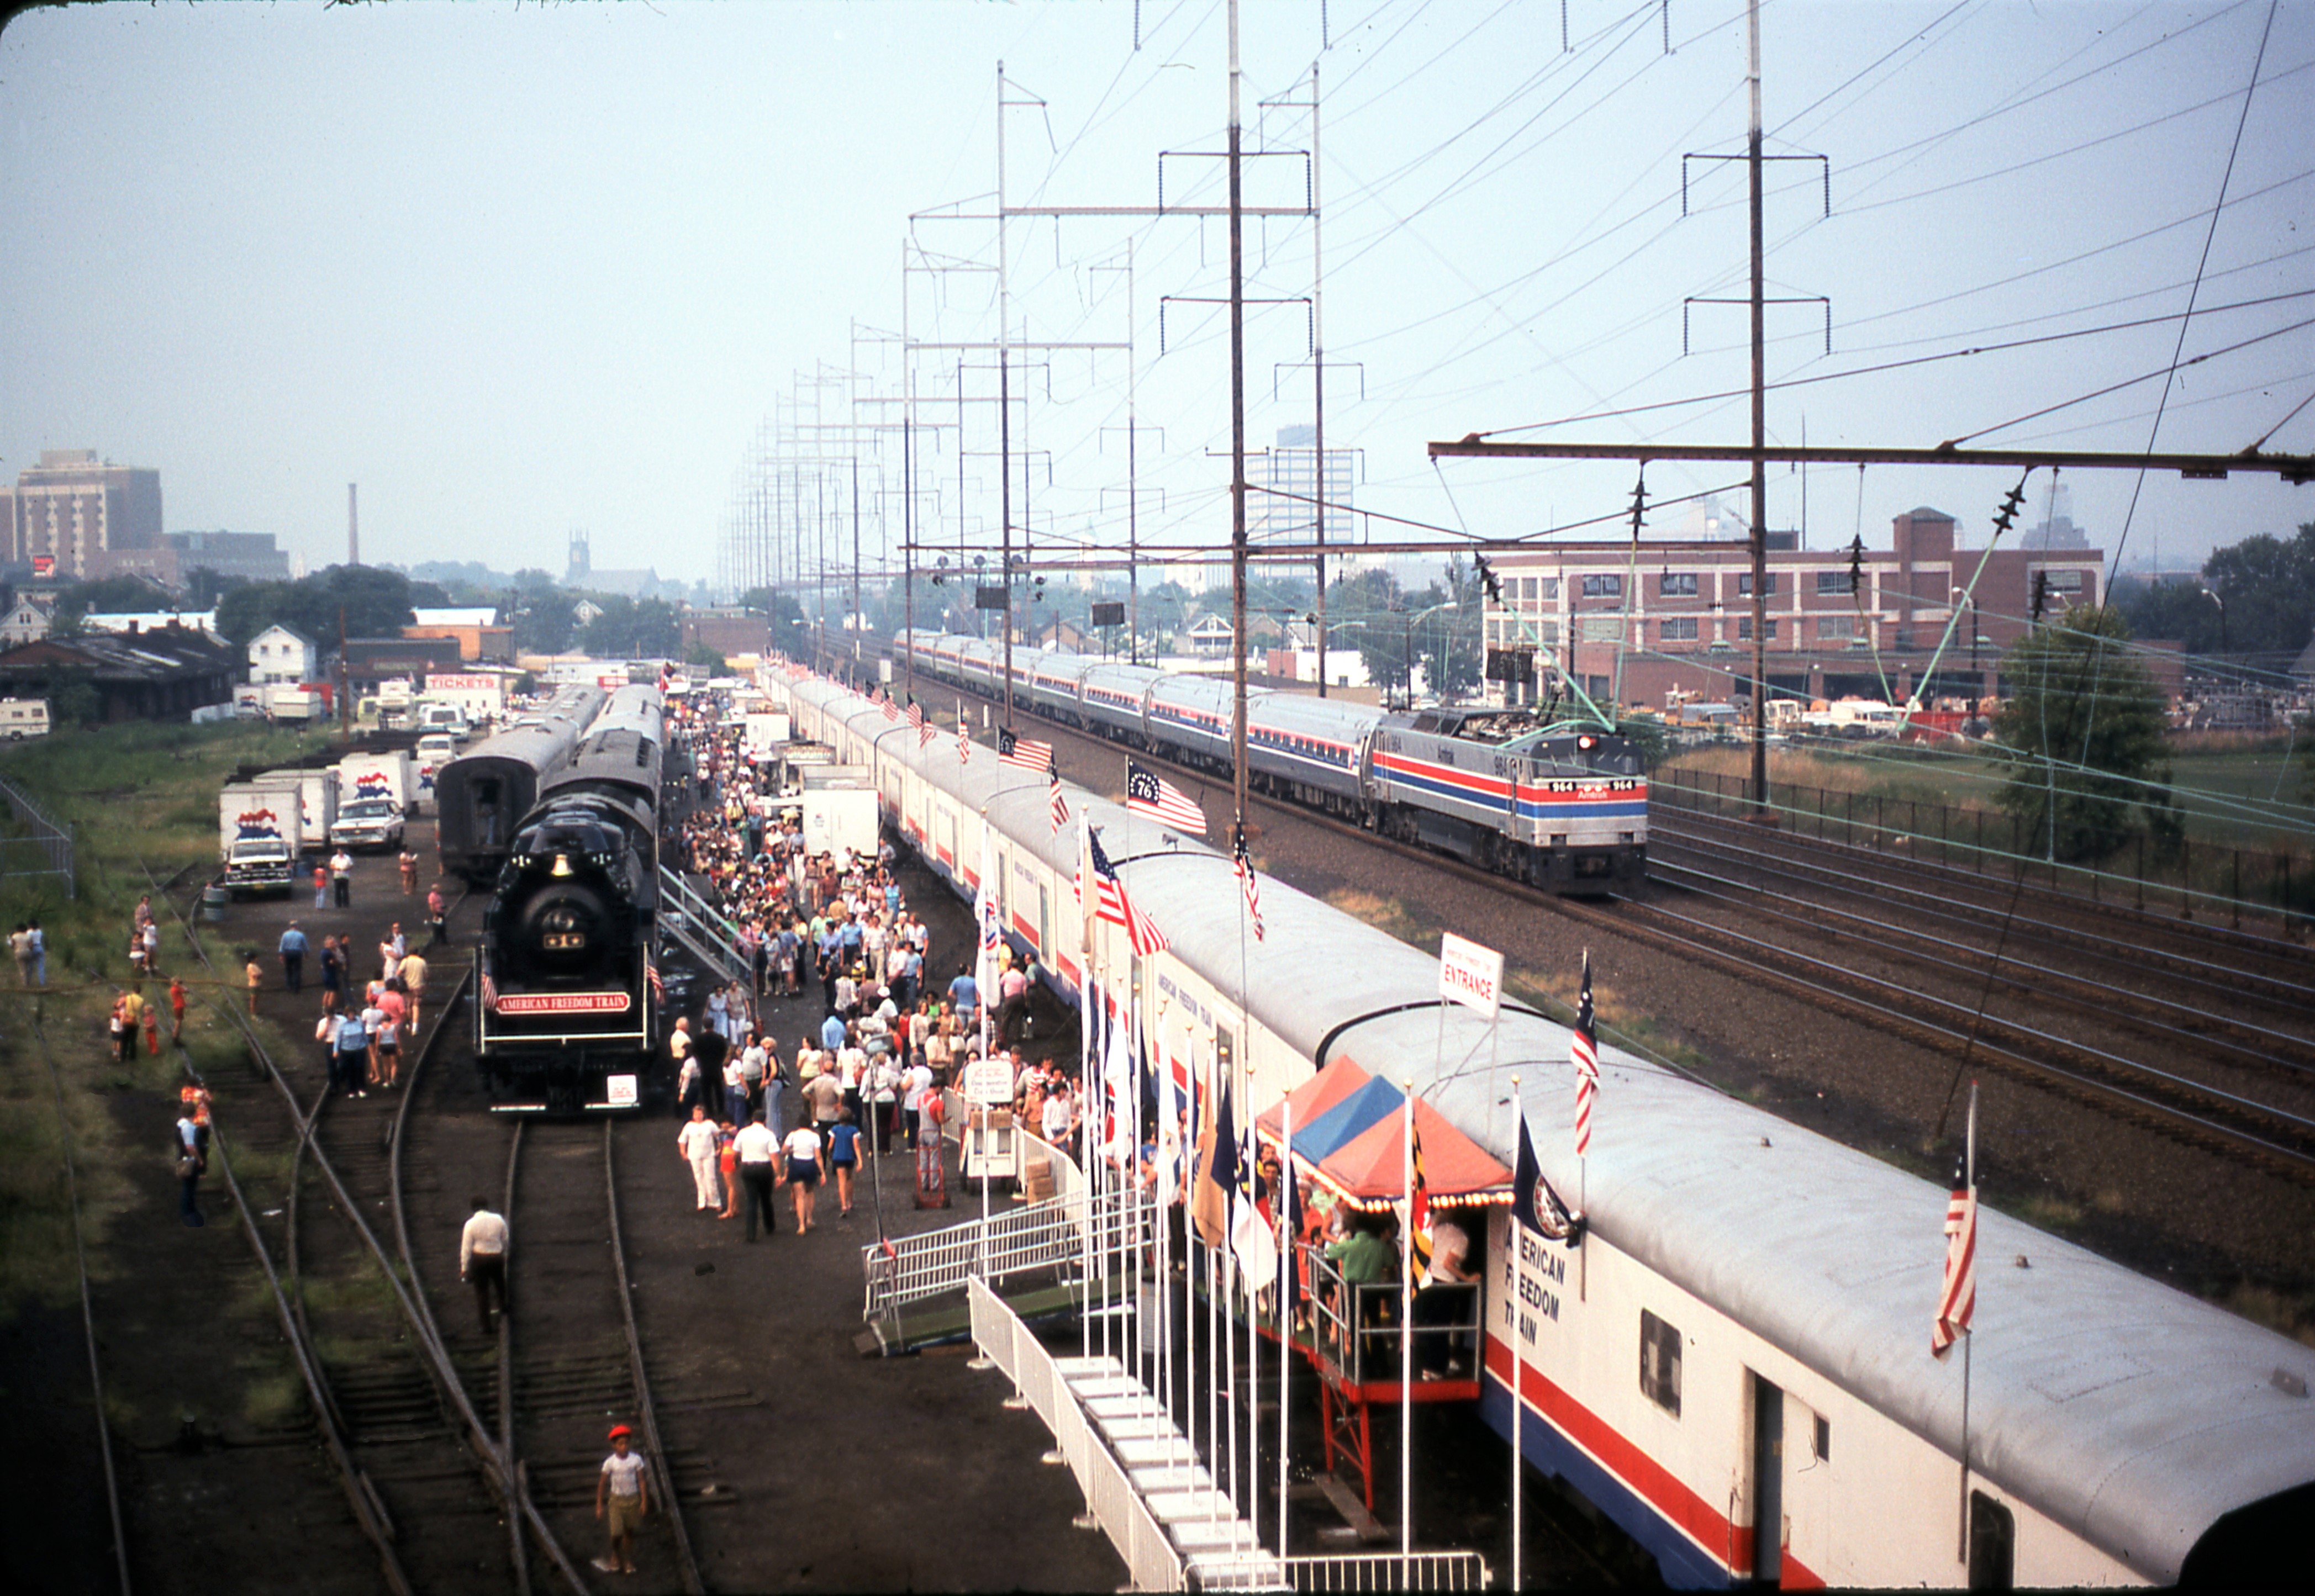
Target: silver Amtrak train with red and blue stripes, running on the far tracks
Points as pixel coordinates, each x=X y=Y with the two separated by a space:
x=1550 y=804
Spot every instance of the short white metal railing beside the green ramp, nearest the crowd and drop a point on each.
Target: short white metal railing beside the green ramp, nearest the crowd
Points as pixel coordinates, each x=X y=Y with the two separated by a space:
x=1022 y=1241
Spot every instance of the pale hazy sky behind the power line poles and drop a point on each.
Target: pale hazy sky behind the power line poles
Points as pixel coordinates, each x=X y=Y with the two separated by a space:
x=529 y=269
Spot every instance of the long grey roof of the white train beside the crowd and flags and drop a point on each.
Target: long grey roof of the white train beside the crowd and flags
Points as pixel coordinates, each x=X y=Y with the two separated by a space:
x=2119 y=1407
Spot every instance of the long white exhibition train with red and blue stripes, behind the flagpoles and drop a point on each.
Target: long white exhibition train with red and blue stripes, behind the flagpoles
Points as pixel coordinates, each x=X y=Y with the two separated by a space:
x=1735 y=1359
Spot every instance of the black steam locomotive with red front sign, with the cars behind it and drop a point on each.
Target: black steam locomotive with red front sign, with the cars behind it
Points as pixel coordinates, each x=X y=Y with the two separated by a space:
x=568 y=1017
